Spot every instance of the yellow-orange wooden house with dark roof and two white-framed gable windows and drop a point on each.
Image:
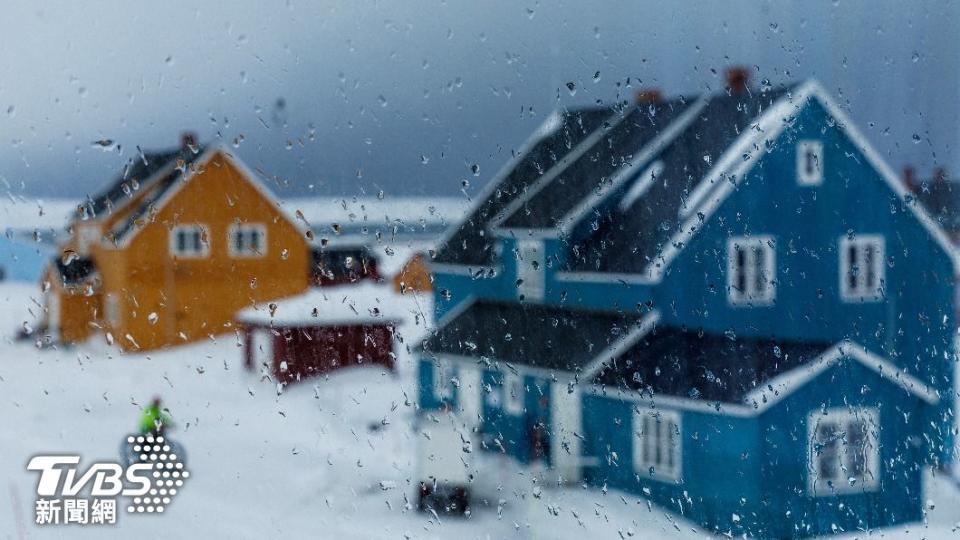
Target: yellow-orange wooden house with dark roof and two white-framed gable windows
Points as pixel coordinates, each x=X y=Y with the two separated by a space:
x=171 y=250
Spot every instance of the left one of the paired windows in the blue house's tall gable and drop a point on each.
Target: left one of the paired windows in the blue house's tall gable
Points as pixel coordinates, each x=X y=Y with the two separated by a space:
x=751 y=270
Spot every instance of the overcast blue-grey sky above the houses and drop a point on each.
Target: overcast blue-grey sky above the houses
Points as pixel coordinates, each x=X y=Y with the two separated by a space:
x=353 y=97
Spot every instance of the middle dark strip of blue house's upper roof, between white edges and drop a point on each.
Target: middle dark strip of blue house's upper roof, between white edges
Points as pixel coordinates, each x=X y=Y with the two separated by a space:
x=637 y=127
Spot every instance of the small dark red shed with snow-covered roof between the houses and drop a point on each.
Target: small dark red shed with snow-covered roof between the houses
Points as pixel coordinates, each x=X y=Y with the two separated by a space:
x=321 y=331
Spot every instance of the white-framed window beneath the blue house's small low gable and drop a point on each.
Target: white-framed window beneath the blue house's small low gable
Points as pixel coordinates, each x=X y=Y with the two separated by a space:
x=844 y=451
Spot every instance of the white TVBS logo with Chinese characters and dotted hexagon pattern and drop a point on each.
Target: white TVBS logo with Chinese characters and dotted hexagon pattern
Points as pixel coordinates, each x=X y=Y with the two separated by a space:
x=68 y=494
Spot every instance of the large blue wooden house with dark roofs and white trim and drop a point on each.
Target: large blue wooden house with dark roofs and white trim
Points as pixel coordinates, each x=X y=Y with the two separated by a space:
x=726 y=303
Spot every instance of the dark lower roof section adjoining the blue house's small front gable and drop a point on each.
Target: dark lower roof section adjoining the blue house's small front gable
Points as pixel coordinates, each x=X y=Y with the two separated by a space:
x=692 y=364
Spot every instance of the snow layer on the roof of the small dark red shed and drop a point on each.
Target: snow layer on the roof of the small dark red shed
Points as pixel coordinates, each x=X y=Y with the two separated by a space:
x=362 y=303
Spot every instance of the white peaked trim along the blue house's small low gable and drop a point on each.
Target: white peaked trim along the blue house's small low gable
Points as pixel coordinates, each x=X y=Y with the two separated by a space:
x=783 y=385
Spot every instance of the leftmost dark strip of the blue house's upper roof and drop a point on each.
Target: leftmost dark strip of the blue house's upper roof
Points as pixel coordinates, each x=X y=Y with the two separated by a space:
x=470 y=242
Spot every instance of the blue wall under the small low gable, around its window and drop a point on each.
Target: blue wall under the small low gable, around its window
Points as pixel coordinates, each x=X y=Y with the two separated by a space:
x=784 y=433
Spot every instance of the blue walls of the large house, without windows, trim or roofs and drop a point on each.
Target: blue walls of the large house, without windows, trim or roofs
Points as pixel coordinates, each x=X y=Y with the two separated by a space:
x=756 y=465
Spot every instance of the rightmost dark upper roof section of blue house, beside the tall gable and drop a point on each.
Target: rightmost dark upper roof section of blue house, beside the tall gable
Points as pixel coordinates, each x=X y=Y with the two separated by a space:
x=628 y=240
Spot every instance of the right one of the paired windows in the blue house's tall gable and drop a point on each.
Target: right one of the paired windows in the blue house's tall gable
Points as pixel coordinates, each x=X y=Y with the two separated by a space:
x=862 y=268
